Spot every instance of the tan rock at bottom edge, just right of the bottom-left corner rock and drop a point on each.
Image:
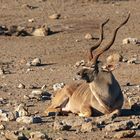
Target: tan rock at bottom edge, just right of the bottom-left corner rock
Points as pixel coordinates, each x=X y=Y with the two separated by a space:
x=38 y=136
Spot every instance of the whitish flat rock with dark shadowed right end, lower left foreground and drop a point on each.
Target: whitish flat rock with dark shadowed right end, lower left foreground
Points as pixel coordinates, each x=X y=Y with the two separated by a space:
x=29 y=120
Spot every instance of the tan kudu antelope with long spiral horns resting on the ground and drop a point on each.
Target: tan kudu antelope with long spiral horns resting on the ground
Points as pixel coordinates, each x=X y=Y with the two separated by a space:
x=100 y=93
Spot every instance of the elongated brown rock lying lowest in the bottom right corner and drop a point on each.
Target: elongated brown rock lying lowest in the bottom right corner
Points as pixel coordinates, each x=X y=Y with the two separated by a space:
x=125 y=134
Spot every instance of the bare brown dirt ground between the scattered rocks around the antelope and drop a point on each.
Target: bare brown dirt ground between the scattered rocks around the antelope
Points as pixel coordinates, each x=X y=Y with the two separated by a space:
x=60 y=51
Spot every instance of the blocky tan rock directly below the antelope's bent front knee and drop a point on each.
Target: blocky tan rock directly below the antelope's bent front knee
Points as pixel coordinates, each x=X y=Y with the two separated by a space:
x=87 y=127
